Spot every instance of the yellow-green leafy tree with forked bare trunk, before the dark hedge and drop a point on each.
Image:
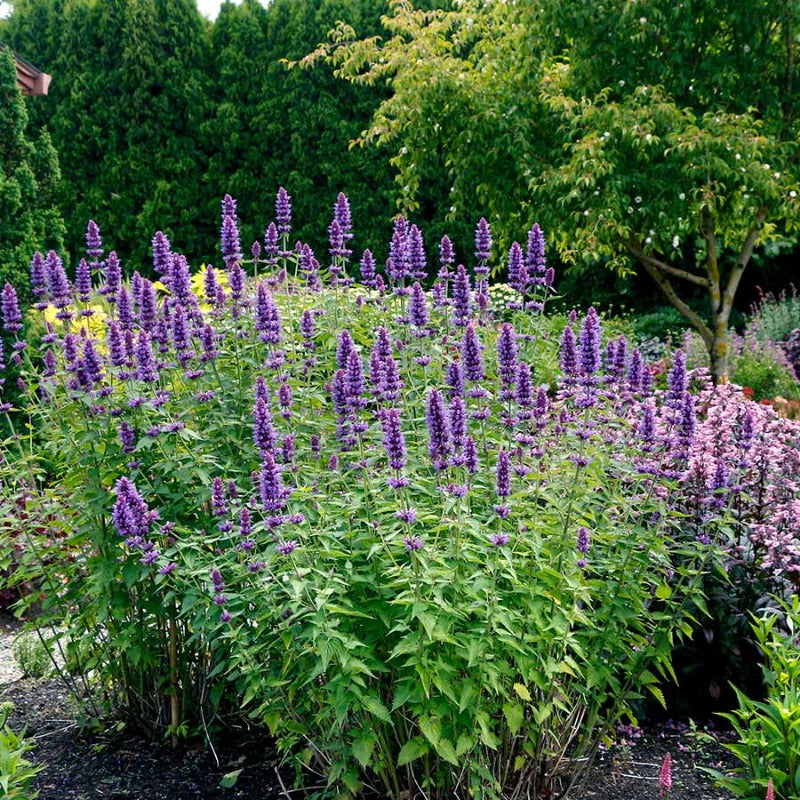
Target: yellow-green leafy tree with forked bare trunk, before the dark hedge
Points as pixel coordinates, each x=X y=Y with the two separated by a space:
x=663 y=134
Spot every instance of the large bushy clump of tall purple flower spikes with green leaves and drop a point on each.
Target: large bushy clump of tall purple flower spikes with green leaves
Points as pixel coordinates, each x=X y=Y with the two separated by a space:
x=350 y=507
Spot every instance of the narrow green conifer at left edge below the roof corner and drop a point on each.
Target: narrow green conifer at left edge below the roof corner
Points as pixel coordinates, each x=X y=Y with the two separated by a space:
x=29 y=219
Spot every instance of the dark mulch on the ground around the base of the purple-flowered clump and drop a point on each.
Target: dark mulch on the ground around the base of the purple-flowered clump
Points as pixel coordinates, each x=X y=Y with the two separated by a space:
x=120 y=766
